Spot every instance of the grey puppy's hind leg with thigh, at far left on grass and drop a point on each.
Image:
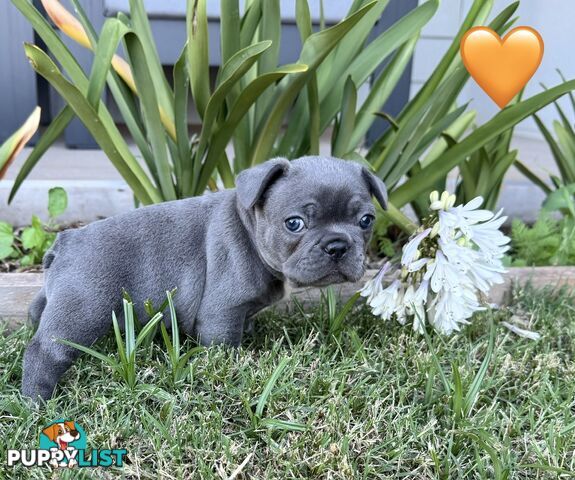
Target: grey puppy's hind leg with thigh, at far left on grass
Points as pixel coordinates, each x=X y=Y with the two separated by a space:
x=46 y=359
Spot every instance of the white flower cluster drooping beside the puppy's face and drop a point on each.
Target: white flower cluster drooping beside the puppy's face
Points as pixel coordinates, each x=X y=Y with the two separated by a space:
x=447 y=266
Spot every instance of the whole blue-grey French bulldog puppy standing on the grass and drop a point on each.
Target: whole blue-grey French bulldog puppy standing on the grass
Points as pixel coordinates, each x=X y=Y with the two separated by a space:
x=229 y=254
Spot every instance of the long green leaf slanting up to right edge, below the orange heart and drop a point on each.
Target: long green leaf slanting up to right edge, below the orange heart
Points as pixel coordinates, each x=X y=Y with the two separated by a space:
x=505 y=119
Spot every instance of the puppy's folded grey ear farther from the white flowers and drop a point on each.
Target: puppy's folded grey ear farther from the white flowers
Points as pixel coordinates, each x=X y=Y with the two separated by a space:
x=252 y=183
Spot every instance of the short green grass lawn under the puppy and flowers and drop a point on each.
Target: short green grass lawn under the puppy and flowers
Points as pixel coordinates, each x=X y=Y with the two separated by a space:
x=377 y=401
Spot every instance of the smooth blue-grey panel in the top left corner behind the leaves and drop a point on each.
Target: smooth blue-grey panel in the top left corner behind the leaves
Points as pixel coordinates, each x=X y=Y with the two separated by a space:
x=17 y=78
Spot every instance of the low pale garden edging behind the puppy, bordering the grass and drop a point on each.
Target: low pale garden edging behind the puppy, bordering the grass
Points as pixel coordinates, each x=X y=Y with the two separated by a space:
x=18 y=289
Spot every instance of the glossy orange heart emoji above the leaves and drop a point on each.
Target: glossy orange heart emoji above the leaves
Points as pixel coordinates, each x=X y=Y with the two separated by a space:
x=501 y=67
